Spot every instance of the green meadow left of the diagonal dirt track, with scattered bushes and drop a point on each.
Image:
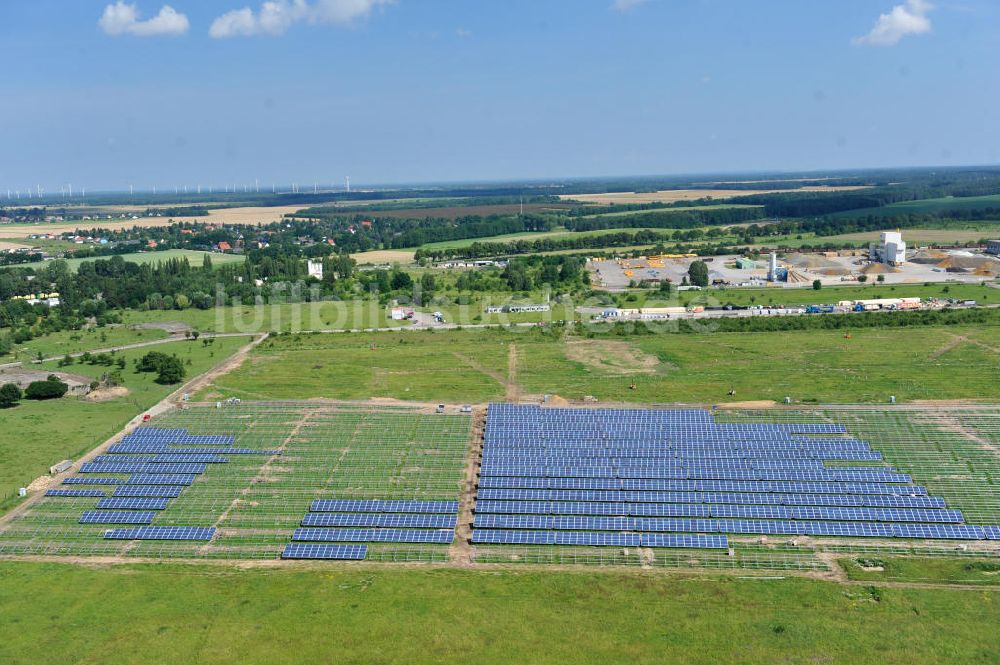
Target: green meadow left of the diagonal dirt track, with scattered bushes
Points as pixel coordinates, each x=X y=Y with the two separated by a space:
x=42 y=433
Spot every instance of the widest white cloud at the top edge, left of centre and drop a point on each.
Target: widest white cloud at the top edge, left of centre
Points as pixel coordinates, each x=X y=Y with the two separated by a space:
x=275 y=17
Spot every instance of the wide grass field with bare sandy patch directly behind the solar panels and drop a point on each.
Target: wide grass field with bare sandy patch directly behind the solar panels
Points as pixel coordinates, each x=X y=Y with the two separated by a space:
x=472 y=366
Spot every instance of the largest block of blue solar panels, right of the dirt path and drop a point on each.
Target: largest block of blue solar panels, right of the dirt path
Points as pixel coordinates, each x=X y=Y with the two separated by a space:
x=669 y=478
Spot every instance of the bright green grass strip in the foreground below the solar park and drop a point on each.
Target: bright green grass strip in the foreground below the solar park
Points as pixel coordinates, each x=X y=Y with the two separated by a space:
x=364 y=614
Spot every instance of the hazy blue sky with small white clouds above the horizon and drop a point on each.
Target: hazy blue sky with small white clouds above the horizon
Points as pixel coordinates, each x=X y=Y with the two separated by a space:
x=437 y=90
